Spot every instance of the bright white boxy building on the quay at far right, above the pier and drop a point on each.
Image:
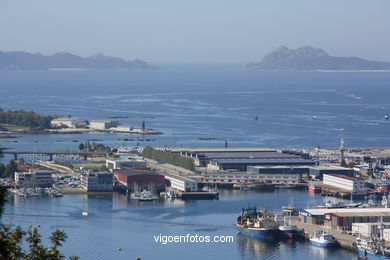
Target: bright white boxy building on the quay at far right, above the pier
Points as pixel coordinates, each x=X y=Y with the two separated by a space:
x=344 y=182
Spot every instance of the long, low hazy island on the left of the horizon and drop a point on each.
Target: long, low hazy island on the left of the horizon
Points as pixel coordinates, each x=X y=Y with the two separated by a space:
x=16 y=60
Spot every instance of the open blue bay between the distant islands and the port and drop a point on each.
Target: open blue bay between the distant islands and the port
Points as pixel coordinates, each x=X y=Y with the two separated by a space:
x=188 y=102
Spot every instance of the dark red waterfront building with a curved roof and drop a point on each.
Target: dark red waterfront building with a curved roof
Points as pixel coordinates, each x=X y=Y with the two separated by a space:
x=142 y=178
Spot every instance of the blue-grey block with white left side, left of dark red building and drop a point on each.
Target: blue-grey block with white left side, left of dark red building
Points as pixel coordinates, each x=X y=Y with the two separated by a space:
x=100 y=181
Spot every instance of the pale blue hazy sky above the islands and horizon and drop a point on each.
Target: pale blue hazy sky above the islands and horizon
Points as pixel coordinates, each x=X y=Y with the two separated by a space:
x=197 y=30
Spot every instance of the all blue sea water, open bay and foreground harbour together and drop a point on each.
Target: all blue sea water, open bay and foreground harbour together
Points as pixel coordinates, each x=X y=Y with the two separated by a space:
x=189 y=102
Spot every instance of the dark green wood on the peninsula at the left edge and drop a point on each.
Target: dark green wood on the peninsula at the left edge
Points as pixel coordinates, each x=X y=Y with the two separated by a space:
x=25 y=118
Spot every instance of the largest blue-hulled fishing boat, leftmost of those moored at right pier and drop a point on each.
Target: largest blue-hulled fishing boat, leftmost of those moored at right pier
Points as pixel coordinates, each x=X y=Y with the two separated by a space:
x=259 y=224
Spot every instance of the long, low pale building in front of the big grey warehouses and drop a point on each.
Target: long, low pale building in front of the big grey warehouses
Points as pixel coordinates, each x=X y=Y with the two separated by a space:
x=250 y=178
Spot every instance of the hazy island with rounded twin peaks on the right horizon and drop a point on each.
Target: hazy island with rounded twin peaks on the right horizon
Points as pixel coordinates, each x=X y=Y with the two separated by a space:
x=308 y=58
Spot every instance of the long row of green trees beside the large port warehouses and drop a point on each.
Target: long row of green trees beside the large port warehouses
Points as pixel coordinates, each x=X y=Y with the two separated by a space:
x=168 y=157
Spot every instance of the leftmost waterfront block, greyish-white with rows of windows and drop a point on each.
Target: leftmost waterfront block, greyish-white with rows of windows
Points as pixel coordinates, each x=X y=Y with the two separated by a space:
x=33 y=179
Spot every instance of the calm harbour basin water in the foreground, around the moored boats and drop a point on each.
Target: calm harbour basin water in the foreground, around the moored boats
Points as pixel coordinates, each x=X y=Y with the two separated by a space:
x=114 y=222
